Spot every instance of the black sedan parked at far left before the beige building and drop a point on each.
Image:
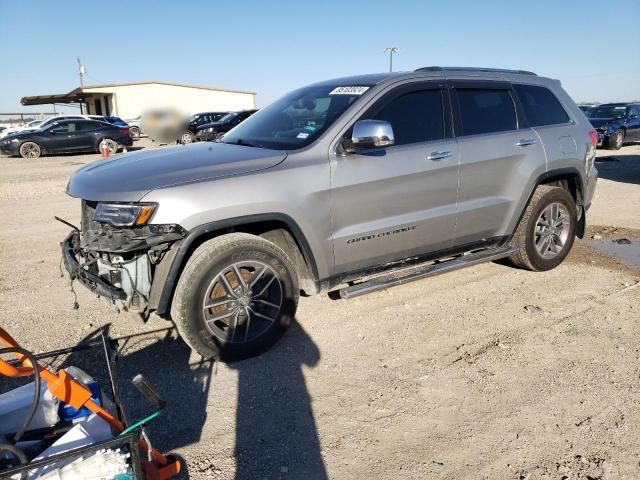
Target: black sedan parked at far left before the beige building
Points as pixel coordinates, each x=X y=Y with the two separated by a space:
x=66 y=136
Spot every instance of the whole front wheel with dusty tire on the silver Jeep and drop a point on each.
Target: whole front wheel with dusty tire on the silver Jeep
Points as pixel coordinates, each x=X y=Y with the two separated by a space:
x=235 y=297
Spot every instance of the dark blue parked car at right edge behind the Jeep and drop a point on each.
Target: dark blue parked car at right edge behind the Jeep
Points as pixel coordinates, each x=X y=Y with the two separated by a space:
x=616 y=123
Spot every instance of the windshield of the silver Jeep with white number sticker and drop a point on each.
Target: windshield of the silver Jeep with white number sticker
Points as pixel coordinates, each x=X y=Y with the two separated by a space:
x=297 y=119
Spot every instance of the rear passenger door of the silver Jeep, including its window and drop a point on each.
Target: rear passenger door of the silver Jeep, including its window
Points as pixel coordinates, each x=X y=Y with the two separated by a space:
x=499 y=154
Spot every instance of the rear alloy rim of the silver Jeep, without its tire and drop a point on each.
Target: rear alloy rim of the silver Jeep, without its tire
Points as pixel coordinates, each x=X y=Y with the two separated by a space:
x=552 y=230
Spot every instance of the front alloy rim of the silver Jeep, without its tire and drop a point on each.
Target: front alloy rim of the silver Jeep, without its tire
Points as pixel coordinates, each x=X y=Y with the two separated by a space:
x=242 y=301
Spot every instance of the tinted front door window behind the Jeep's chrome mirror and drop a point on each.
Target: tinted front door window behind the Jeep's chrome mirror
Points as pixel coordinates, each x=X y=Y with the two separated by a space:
x=415 y=117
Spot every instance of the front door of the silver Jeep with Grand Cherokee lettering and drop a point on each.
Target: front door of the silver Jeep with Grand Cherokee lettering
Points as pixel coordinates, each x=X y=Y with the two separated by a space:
x=393 y=203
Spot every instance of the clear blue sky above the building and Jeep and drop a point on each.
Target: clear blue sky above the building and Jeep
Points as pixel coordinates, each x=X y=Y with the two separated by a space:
x=271 y=47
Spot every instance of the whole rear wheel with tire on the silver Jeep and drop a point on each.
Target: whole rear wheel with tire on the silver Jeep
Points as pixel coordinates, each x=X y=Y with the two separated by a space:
x=546 y=231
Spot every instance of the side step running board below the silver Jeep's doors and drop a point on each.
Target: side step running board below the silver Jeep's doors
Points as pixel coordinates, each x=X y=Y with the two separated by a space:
x=423 y=271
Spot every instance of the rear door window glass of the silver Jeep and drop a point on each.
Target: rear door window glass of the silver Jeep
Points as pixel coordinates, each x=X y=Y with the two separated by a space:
x=486 y=111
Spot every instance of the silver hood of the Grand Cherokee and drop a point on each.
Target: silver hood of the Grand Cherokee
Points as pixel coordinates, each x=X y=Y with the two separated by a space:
x=128 y=177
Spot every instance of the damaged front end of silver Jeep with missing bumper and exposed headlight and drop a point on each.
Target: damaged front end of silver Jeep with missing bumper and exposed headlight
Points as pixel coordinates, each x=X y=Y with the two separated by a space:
x=115 y=256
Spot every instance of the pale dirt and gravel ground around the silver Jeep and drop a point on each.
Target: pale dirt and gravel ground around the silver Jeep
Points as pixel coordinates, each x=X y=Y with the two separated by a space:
x=490 y=372
